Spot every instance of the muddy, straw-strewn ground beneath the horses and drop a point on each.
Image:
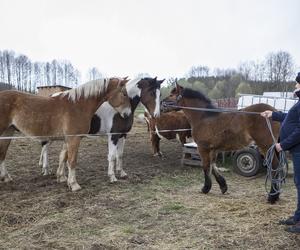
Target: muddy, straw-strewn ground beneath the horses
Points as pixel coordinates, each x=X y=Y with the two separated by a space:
x=159 y=205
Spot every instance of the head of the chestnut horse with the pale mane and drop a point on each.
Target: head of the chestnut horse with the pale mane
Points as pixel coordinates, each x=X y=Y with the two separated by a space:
x=118 y=97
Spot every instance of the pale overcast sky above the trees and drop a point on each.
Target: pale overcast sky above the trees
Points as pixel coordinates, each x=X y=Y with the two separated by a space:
x=163 y=38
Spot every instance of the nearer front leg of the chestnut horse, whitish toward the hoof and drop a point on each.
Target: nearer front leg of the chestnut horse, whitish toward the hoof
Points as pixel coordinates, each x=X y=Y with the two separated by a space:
x=73 y=145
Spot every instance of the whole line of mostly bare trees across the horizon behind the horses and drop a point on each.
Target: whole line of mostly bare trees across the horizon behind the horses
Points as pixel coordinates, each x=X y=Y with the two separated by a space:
x=274 y=73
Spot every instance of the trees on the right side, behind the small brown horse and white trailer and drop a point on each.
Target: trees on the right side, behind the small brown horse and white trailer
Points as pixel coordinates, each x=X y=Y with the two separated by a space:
x=275 y=73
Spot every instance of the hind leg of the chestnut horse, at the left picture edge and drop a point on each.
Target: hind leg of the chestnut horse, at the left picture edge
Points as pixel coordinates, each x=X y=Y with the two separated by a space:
x=4 y=144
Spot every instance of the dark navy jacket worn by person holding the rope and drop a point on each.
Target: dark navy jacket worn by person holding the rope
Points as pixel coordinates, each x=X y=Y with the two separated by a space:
x=290 y=128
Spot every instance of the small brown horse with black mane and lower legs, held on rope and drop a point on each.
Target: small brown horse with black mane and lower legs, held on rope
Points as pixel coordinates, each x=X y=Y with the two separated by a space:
x=213 y=132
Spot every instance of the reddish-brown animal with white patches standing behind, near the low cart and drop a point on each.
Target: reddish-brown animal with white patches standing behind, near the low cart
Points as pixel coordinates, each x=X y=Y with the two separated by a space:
x=168 y=123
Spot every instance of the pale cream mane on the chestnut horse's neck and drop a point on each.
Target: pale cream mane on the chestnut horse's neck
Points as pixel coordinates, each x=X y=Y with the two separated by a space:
x=89 y=89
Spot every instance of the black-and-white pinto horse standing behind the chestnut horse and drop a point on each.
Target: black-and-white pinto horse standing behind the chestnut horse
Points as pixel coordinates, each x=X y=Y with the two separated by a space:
x=107 y=120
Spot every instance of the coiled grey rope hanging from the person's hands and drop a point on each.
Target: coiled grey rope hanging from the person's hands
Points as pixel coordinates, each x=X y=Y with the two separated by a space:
x=275 y=177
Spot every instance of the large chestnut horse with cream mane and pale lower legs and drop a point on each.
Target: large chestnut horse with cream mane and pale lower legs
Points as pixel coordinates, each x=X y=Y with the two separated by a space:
x=63 y=116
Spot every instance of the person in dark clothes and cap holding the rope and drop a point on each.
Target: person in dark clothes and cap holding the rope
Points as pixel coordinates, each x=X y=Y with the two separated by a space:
x=289 y=139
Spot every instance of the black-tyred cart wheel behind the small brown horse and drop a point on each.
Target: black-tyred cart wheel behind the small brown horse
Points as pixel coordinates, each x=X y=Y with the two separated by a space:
x=247 y=162
